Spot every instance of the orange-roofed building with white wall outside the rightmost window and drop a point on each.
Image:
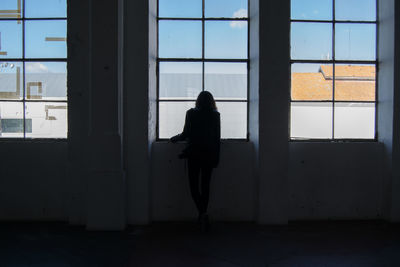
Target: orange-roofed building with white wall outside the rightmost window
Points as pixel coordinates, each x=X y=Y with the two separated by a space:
x=311 y=116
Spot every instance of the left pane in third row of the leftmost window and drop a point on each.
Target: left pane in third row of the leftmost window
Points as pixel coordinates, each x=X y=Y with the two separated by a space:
x=11 y=80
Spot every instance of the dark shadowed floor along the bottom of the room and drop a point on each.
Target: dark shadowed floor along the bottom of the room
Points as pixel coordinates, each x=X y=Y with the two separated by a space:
x=182 y=244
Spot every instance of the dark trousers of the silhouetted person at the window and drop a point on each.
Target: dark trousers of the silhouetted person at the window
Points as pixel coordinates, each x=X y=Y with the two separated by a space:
x=199 y=198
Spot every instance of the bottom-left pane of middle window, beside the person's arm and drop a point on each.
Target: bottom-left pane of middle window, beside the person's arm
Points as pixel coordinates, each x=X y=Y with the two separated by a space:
x=172 y=117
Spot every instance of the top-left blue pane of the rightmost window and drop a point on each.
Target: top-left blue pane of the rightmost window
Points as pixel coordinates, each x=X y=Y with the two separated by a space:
x=311 y=9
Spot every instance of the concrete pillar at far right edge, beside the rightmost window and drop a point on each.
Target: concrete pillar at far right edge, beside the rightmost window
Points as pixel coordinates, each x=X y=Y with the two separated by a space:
x=389 y=105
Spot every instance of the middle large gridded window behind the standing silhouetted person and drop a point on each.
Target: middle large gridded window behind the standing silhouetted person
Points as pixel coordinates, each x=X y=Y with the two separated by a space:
x=202 y=45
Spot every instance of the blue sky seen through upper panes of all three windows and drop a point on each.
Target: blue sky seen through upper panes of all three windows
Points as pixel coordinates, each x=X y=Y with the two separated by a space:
x=226 y=39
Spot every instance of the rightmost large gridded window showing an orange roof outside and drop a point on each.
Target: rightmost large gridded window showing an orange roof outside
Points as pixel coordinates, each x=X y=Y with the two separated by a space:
x=333 y=65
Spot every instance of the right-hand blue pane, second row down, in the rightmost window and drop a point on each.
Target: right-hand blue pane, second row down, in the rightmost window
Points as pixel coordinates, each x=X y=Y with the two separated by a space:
x=355 y=41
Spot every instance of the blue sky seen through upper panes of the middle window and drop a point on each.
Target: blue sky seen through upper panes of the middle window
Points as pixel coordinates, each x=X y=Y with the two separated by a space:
x=183 y=39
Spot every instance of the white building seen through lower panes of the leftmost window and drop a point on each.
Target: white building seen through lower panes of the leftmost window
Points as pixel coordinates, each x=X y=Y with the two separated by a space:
x=42 y=119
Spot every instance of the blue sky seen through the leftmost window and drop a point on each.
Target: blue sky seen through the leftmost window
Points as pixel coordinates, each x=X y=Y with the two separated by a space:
x=35 y=33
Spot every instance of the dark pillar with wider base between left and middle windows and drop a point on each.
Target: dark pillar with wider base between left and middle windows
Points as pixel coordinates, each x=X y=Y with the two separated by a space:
x=106 y=185
